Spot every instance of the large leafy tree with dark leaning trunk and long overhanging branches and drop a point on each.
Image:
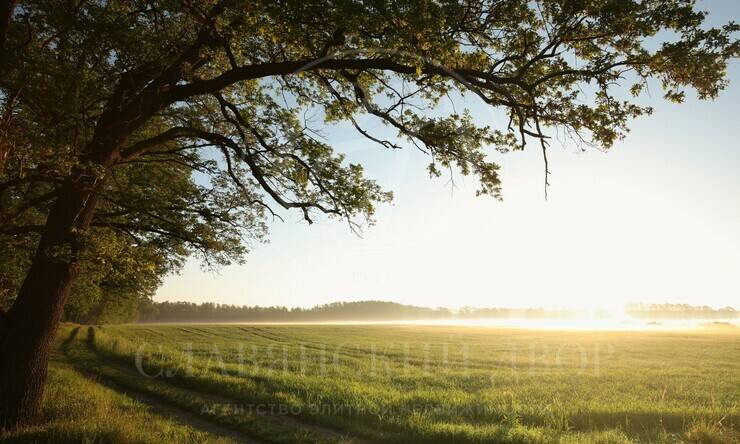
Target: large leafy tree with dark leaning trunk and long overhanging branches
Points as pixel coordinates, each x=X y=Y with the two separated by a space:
x=222 y=88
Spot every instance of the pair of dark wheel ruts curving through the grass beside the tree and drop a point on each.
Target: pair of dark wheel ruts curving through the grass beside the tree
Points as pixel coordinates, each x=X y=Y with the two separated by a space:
x=285 y=419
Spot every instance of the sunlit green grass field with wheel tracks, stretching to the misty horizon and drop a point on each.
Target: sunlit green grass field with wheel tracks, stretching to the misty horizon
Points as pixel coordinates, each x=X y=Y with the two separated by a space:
x=389 y=384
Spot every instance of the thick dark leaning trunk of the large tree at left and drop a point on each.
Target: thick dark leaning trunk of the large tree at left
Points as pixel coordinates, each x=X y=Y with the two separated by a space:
x=28 y=328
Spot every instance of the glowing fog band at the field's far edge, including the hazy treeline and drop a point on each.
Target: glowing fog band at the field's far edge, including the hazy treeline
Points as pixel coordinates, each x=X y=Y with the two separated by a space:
x=631 y=317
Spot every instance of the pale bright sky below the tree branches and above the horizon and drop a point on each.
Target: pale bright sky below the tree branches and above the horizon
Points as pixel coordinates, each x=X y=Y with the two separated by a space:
x=654 y=219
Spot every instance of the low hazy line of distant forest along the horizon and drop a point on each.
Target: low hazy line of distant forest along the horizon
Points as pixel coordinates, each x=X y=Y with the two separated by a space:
x=392 y=311
